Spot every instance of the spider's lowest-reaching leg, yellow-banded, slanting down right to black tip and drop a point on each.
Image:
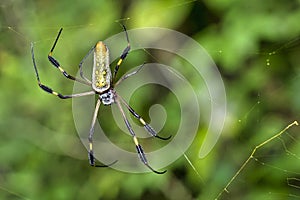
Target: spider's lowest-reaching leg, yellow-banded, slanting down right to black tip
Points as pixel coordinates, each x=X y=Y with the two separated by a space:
x=139 y=148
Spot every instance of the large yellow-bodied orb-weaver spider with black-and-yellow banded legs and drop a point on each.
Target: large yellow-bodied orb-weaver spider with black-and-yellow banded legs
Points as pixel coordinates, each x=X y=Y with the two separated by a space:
x=102 y=84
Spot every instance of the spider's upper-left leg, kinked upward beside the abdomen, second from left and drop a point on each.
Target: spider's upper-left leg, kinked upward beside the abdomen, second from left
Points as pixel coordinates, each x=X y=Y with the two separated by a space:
x=55 y=63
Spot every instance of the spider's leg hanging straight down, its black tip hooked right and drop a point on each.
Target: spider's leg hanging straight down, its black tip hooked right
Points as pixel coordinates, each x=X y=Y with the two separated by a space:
x=92 y=130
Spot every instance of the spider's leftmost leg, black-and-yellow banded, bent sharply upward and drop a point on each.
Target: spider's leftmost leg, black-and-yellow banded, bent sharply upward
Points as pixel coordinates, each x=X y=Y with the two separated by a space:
x=49 y=90
